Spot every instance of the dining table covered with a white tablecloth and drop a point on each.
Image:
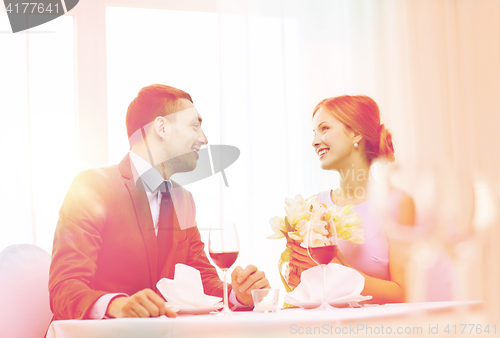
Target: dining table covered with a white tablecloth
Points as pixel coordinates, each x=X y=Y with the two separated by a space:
x=431 y=319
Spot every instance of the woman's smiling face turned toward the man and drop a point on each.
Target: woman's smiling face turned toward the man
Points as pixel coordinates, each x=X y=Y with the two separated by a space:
x=333 y=141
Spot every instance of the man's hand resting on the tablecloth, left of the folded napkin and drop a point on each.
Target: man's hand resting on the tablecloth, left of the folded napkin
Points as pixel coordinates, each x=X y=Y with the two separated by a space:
x=145 y=303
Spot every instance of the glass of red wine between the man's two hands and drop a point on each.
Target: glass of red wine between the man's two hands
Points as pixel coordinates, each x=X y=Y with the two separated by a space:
x=223 y=247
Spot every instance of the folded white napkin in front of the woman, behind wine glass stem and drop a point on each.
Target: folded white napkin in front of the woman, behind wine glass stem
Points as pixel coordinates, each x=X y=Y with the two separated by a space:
x=342 y=284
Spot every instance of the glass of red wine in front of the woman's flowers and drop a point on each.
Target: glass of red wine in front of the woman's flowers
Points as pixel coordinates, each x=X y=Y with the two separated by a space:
x=322 y=253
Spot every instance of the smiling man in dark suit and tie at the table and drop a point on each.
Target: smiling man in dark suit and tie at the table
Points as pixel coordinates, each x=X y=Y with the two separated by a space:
x=124 y=227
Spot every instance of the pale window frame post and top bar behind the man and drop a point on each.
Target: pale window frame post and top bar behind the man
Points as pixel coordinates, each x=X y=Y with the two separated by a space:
x=91 y=71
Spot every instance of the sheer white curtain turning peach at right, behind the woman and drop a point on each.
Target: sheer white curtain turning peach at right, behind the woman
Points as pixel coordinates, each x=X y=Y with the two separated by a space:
x=430 y=65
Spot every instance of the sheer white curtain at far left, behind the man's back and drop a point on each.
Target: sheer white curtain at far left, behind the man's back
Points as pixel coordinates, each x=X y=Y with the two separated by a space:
x=37 y=141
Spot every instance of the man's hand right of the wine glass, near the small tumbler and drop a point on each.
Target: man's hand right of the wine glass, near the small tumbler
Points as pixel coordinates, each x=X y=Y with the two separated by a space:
x=243 y=281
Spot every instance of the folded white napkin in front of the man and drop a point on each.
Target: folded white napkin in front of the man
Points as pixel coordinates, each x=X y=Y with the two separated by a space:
x=186 y=289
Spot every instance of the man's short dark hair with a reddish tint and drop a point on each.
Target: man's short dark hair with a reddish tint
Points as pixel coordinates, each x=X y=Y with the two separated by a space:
x=151 y=102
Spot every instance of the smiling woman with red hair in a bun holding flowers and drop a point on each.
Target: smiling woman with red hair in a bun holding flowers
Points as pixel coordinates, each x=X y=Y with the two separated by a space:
x=348 y=137
